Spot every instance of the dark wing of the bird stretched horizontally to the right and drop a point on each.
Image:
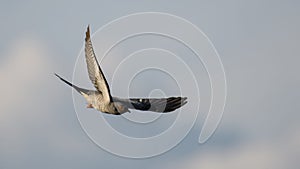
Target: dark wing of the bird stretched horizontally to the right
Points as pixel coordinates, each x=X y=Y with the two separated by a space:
x=153 y=104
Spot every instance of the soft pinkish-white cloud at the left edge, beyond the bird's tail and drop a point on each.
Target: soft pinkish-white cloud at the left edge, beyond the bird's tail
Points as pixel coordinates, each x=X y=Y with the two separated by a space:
x=21 y=74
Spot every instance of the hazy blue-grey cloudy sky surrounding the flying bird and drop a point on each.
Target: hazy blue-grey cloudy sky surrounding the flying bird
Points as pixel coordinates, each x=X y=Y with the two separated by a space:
x=257 y=42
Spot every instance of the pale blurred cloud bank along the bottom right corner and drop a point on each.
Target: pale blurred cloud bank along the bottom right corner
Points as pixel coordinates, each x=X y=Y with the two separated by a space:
x=279 y=153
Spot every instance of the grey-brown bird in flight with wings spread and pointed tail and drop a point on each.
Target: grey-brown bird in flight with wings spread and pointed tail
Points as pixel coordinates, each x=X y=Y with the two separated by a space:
x=101 y=98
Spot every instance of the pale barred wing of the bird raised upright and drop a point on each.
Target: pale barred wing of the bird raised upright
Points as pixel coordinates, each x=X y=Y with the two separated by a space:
x=95 y=73
